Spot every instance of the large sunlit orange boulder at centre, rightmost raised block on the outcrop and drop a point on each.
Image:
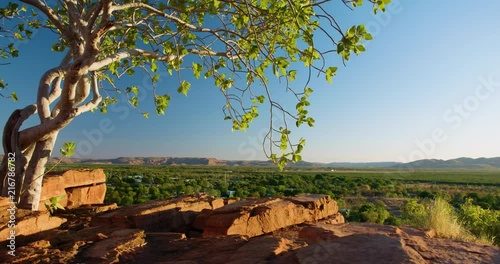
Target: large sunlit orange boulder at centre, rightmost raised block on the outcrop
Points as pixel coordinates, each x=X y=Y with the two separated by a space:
x=254 y=217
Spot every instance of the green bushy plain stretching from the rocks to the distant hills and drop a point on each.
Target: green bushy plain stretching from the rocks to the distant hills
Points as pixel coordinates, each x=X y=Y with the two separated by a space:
x=466 y=202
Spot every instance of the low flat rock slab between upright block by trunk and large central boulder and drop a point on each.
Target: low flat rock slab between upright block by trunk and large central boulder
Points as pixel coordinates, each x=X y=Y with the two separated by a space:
x=166 y=215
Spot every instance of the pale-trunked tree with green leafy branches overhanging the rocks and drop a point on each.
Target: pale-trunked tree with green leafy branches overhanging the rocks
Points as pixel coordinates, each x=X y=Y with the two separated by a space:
x=240 y=45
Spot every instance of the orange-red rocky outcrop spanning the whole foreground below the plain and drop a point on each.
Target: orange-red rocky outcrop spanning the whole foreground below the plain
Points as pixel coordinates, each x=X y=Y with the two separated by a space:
x=203 y=229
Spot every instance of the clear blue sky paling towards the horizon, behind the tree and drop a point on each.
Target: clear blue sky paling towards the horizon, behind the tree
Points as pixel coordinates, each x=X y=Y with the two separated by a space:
x=427 y=87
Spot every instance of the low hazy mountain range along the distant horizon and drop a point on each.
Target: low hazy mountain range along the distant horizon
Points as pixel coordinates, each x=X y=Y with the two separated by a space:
x=460 y=163
